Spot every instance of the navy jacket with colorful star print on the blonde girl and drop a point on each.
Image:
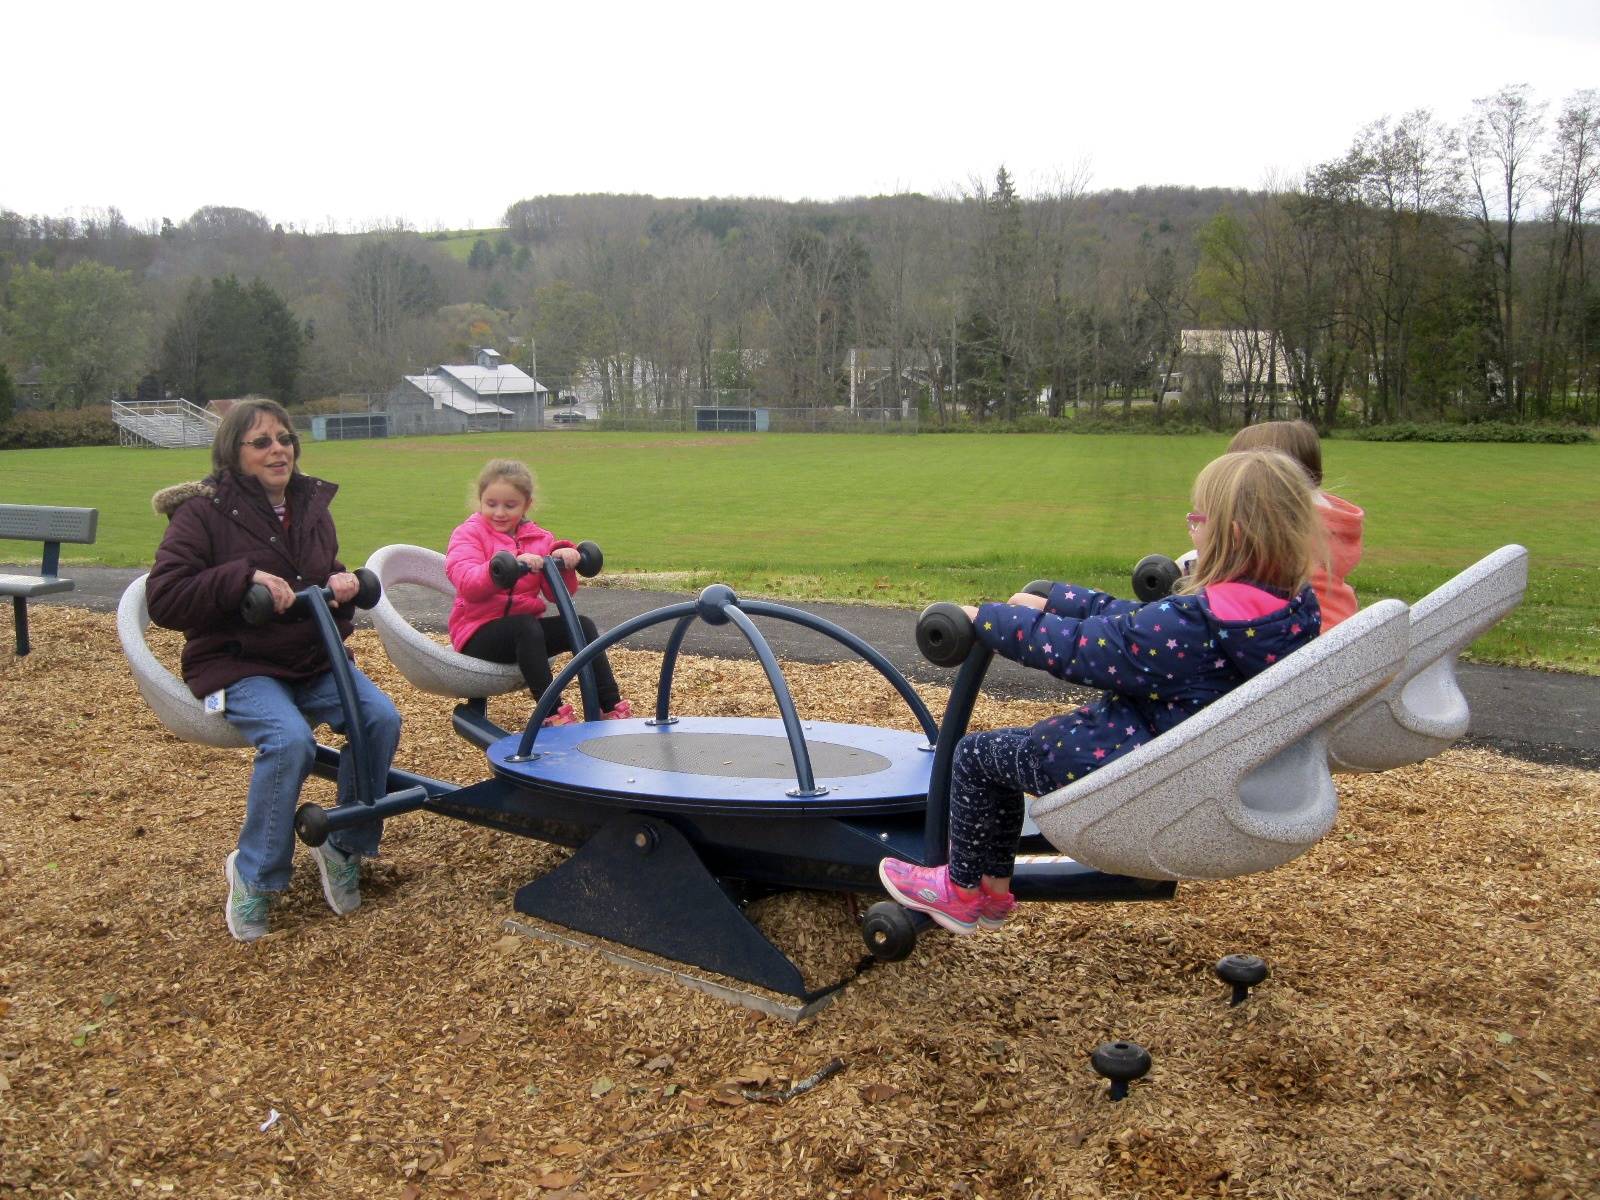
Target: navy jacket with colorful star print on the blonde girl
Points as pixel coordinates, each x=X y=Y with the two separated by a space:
x=1158 y=663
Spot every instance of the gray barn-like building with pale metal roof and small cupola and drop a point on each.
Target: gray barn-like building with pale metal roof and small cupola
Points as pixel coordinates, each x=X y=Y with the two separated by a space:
x=482 y=396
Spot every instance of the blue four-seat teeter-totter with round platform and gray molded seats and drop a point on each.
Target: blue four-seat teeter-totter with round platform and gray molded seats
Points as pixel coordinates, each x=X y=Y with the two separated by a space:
x=678 y=823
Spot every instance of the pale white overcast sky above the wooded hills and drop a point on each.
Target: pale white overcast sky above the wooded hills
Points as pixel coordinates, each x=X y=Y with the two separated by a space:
x=346 y=114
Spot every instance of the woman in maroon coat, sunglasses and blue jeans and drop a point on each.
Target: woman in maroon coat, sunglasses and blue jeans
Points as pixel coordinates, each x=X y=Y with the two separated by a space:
x=258 y=521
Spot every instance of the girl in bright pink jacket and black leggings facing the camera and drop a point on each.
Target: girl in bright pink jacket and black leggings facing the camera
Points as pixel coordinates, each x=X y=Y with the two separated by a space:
x=511 y=626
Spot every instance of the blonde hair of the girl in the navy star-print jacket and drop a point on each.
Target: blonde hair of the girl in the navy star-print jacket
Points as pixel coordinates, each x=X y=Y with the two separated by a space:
x=1262 y=522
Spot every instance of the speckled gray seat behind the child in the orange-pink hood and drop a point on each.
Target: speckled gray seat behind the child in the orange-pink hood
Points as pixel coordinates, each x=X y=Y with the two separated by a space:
x=1423 y=711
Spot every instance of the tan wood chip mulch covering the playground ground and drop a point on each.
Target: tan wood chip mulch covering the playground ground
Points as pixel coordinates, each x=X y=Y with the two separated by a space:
x=1431 y=1026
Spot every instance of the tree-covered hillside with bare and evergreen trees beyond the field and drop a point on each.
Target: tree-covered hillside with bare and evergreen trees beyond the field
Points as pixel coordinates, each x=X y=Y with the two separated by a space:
x=1430 y=273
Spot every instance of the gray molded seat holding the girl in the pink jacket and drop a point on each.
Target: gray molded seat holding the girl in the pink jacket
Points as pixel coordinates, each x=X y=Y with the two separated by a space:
x=431 y=666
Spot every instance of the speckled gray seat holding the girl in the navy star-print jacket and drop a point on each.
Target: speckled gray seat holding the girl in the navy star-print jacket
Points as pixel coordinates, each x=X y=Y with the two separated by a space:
x=1241 y=786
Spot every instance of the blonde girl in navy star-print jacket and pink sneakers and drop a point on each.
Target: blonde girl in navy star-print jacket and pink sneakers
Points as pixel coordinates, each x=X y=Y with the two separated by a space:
x=1244 y=607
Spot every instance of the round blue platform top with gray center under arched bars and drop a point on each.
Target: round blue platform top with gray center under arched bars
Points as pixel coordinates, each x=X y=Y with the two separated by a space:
x=724 y=764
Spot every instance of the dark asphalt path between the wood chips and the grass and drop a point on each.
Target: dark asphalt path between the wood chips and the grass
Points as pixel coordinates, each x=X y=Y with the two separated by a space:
x=1540 y=716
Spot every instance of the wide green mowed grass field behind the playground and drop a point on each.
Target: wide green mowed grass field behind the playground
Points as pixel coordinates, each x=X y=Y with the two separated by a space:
x=911 y=519
